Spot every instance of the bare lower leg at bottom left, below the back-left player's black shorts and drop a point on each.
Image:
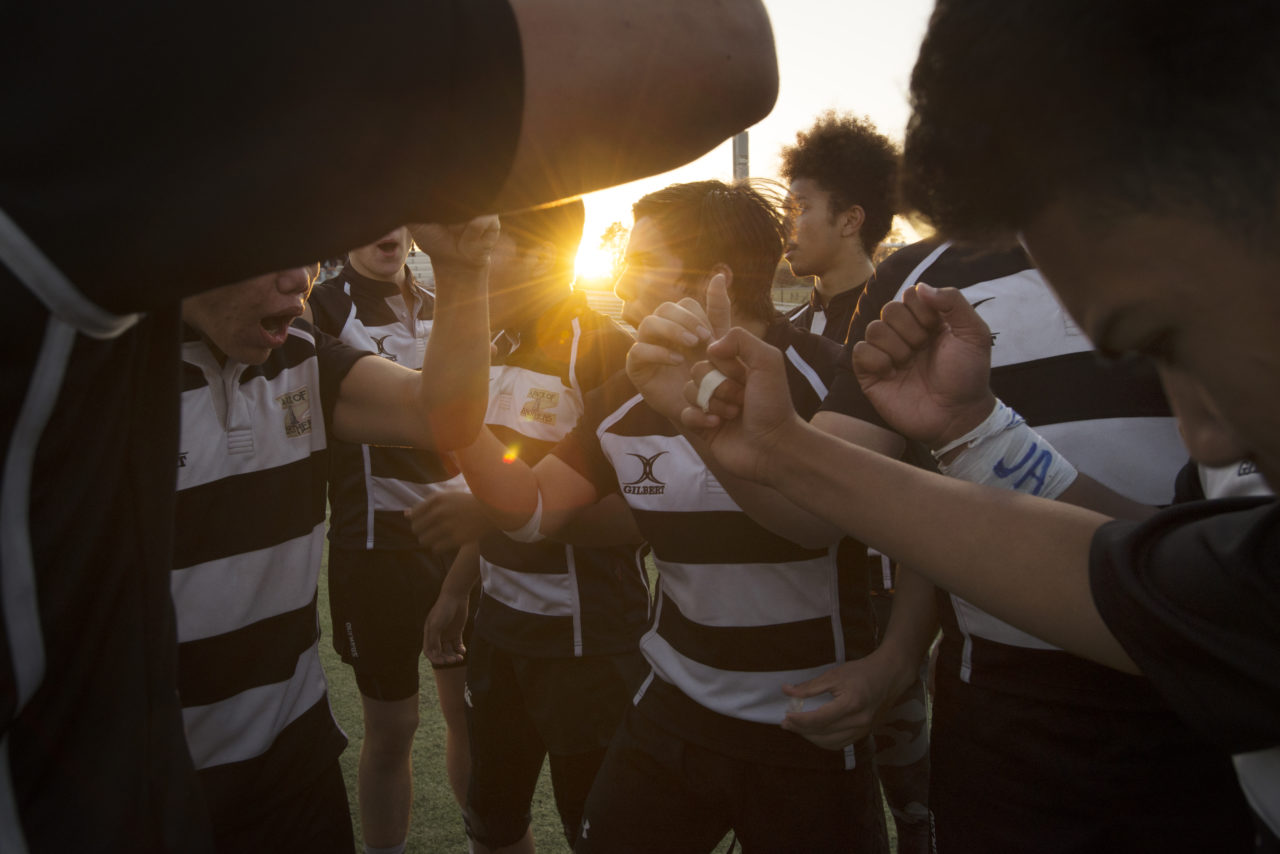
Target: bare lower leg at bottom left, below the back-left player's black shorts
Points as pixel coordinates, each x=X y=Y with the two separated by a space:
x=386 y=778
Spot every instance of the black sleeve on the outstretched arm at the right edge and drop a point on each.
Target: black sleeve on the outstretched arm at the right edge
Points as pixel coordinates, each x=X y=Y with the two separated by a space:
x=1192 y=596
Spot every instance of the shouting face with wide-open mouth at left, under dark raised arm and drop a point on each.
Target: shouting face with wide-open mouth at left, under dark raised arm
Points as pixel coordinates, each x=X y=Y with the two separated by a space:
x=245 y=322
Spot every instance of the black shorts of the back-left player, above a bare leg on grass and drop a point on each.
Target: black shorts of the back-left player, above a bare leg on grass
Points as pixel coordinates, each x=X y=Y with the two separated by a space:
x=380 y=601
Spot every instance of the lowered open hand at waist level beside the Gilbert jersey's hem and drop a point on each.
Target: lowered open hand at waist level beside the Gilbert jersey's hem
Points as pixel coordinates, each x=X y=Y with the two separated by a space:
x=860 y=692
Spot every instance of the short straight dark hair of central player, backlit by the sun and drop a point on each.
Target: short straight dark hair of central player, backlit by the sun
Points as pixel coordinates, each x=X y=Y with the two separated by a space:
x=706 y=223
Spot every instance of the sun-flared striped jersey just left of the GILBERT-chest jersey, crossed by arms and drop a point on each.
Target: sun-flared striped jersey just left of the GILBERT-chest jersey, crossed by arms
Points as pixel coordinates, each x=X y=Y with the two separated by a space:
x=548 y=599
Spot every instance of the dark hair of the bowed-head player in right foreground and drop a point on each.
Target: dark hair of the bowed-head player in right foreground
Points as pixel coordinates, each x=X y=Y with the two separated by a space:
x=1124 y=106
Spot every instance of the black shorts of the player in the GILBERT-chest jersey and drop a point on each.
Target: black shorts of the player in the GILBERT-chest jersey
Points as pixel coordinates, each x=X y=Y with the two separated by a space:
x=659 y=792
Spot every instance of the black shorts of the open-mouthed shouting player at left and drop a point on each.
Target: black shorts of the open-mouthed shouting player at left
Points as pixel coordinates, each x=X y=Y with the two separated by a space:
x=317 y=820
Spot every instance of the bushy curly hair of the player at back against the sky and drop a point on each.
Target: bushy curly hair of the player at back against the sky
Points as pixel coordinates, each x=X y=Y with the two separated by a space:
x=856 y=163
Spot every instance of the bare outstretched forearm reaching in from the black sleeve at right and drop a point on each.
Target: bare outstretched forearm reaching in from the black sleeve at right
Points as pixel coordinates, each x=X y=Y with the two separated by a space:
x=1021 y=559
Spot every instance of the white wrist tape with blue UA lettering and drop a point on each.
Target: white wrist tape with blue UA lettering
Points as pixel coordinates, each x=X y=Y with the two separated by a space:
x=1004 y=453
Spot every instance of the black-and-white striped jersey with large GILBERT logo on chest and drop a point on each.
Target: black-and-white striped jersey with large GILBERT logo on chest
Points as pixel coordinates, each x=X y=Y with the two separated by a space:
x=740 y=611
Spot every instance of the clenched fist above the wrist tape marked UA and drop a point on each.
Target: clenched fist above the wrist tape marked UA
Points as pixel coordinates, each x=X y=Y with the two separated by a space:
x=926 y=366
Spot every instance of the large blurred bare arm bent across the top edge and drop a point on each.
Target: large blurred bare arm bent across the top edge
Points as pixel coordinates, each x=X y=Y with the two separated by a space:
x=606 y=89
